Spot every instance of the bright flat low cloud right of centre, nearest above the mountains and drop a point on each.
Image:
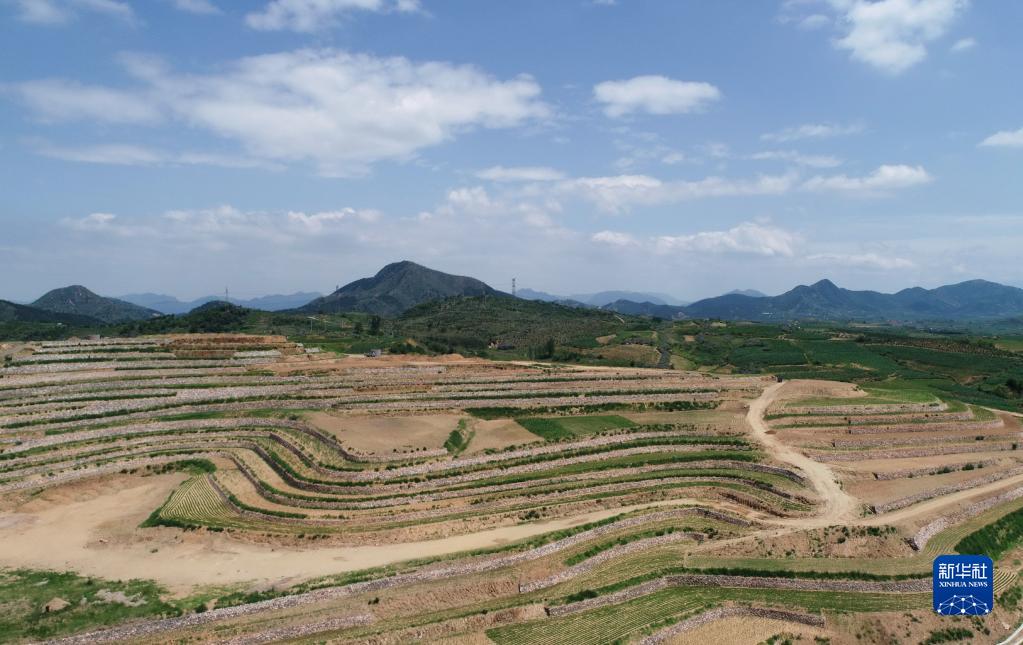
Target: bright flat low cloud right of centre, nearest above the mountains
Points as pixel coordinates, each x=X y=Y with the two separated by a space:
x=748 y=238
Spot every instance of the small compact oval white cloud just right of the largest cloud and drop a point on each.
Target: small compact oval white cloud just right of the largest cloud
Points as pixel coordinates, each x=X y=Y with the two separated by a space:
x=654 y=95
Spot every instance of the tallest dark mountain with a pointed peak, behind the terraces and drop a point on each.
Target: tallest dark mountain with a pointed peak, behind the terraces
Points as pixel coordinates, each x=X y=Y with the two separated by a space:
x=396 y=288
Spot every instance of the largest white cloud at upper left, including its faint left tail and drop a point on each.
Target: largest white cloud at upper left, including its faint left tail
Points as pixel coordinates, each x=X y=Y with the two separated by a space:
x=339 y=111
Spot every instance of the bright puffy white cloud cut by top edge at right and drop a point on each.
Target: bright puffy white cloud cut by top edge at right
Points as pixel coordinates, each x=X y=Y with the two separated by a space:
x=893 y=35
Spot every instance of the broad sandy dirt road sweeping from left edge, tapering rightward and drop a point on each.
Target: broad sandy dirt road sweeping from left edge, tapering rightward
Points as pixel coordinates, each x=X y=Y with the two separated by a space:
x=98 y=536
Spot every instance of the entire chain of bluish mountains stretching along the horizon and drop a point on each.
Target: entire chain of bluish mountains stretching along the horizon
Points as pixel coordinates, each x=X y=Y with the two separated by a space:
x=402 y=286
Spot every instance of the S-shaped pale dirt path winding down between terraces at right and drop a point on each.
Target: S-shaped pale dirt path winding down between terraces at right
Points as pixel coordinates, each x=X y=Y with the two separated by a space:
x=840 y=507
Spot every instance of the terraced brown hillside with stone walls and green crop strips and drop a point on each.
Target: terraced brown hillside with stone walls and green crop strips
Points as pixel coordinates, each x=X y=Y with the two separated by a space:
x=273 y=493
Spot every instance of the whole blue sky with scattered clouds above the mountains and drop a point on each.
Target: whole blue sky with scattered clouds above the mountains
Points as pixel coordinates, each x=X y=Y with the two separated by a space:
x=687 y=148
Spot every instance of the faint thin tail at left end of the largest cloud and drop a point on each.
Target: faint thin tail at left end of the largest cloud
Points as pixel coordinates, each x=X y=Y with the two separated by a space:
x=56 y=100
